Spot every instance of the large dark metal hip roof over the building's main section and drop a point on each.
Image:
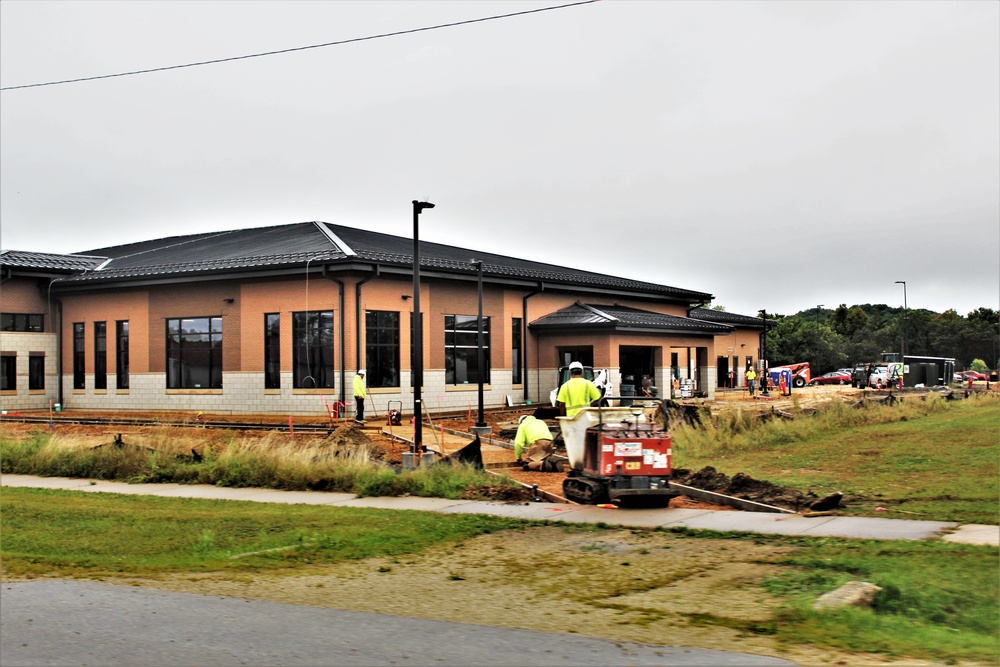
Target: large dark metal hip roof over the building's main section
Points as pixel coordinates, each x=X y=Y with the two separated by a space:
x=268 y=249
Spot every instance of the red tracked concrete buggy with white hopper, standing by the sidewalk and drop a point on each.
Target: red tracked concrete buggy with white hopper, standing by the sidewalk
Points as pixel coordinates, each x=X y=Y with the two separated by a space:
x=618 y=453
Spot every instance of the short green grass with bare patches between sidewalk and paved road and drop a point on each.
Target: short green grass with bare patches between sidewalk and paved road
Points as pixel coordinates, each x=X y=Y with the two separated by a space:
x=939 y=601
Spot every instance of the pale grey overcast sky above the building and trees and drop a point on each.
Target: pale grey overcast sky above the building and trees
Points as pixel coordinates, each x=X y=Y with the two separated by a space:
x=778 y=155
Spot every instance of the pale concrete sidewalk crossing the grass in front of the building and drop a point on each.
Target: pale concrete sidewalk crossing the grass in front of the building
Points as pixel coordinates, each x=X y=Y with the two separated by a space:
x=697 y=519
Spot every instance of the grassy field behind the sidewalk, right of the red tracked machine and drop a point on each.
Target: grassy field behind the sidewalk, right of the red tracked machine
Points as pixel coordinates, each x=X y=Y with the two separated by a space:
x=921 y=459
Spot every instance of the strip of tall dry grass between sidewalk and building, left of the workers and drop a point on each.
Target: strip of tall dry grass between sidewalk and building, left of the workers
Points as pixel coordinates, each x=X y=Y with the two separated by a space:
x=272 y=462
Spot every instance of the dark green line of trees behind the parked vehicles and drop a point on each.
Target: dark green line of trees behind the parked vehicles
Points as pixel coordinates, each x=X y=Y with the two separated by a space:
x=838 y=338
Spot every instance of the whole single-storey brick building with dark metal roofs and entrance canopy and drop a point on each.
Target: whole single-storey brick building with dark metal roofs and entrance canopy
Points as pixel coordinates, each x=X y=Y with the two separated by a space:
x=277 y=320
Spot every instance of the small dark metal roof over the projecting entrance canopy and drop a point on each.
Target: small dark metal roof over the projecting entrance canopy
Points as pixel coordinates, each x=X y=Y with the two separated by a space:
x=623 y=318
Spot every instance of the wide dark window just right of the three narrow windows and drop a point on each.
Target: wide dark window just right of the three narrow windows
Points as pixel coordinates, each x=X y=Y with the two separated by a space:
x=194 y=353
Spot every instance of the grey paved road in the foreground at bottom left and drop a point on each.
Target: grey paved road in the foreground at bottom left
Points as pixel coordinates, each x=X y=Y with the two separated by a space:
x=90 y=623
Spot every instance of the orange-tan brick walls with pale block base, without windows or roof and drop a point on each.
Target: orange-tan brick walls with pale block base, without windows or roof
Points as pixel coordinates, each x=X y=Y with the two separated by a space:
x=242 y=306
